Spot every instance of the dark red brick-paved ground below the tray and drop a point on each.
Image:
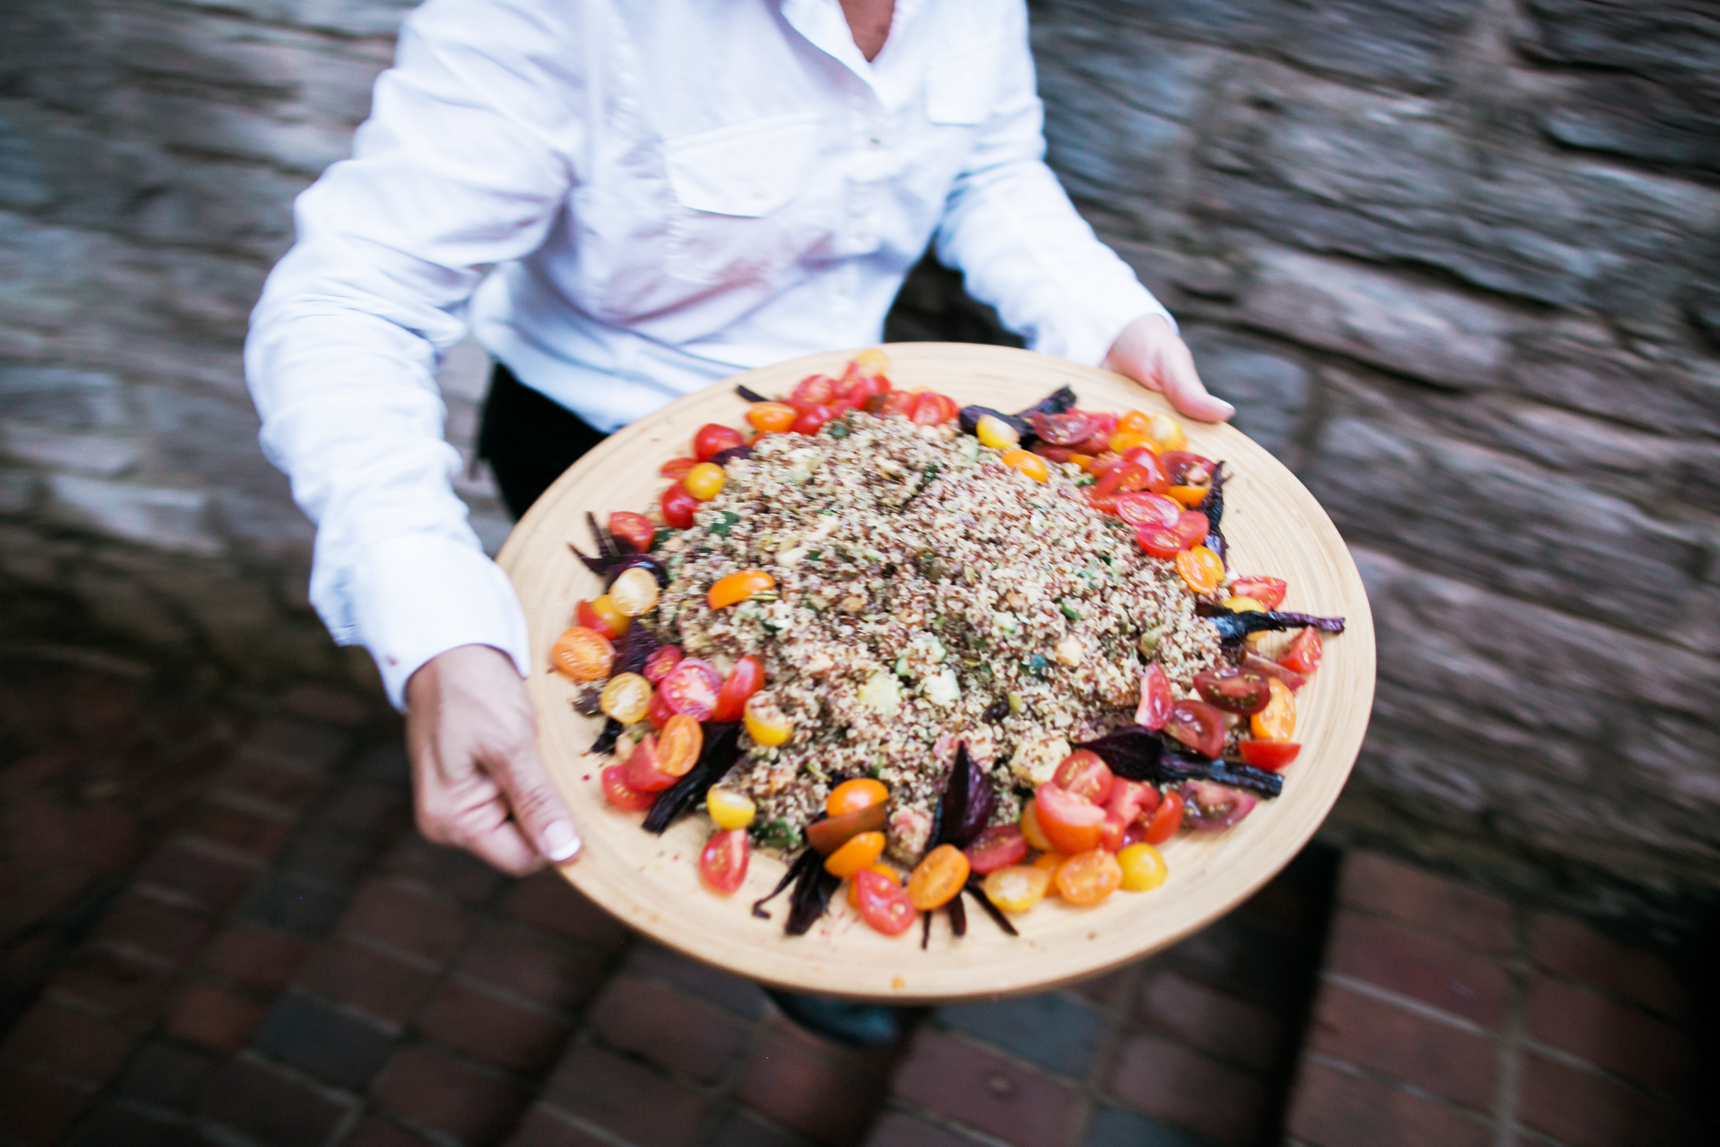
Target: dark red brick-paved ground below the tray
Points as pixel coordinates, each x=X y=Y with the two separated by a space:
x=219 y=928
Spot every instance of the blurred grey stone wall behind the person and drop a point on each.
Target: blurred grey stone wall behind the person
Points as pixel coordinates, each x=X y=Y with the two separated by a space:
x=1454 y=259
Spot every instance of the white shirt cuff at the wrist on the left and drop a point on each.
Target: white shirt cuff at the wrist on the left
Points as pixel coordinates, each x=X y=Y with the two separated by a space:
x=422 y=594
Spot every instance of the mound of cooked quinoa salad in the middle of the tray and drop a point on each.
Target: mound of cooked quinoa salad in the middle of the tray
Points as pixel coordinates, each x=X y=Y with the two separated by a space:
x=926 y=594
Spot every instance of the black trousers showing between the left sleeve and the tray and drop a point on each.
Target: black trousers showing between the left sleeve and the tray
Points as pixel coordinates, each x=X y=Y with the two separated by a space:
x=529 y=439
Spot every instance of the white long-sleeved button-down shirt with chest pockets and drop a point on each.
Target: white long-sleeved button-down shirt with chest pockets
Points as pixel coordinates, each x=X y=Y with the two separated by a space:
x=668 y=192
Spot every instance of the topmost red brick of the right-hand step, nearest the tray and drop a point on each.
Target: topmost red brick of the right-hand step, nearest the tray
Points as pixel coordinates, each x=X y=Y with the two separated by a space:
x=1427 y=902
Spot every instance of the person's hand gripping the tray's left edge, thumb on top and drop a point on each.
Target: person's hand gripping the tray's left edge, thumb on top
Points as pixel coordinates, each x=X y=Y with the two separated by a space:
x=477 y=778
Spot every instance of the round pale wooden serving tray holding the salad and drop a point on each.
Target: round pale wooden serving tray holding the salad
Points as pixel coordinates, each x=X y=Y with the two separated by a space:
x=1274 y=525
